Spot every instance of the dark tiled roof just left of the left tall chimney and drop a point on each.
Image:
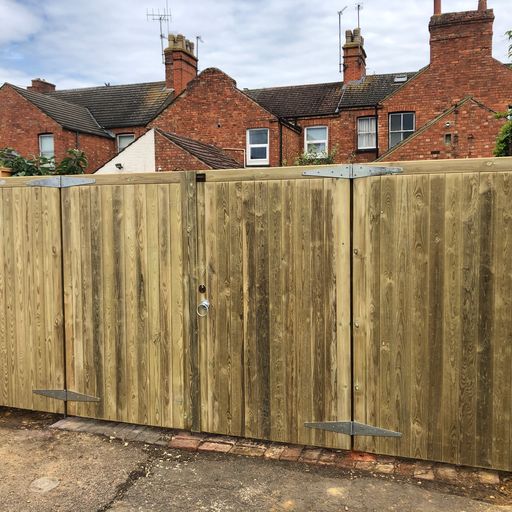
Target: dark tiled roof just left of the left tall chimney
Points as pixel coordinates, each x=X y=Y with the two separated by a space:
x=116 y=106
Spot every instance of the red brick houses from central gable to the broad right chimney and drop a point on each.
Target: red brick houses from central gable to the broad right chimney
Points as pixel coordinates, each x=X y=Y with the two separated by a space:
x=445 y=110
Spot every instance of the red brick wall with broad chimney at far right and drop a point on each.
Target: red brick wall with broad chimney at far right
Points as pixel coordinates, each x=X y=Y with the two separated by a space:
x=462 y=66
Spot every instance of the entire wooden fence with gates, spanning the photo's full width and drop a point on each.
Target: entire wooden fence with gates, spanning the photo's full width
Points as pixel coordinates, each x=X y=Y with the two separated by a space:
x=385 y=300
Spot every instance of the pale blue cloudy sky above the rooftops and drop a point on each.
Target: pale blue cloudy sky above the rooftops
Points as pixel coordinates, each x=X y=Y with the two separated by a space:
x=259 y=43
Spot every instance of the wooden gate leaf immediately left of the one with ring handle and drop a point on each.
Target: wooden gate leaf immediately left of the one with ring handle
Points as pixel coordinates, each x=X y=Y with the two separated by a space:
x=128 y=326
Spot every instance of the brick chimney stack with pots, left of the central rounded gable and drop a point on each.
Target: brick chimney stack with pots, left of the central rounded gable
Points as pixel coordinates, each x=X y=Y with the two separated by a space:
x=180 y=63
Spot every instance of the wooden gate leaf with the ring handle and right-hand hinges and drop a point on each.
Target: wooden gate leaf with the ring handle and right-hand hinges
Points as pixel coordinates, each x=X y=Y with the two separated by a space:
x=275 y=345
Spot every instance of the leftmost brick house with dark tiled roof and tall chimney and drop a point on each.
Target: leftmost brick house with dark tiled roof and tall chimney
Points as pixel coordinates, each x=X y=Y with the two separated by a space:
x=101 y=121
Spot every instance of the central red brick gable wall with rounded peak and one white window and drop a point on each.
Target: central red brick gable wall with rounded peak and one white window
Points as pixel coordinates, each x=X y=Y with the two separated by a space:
x=214 y=111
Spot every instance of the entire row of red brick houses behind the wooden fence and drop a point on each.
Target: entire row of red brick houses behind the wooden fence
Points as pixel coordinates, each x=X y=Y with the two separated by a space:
x=445 y=110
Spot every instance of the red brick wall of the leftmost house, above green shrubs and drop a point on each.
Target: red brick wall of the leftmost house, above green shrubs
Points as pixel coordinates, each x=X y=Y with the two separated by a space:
x=21 y=123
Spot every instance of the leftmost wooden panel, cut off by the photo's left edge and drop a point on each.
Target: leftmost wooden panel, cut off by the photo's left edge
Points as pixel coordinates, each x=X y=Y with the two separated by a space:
x=31 y=320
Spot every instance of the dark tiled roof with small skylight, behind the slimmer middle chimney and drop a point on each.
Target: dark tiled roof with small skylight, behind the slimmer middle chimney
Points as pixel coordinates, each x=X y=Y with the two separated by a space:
x=328 y=98
